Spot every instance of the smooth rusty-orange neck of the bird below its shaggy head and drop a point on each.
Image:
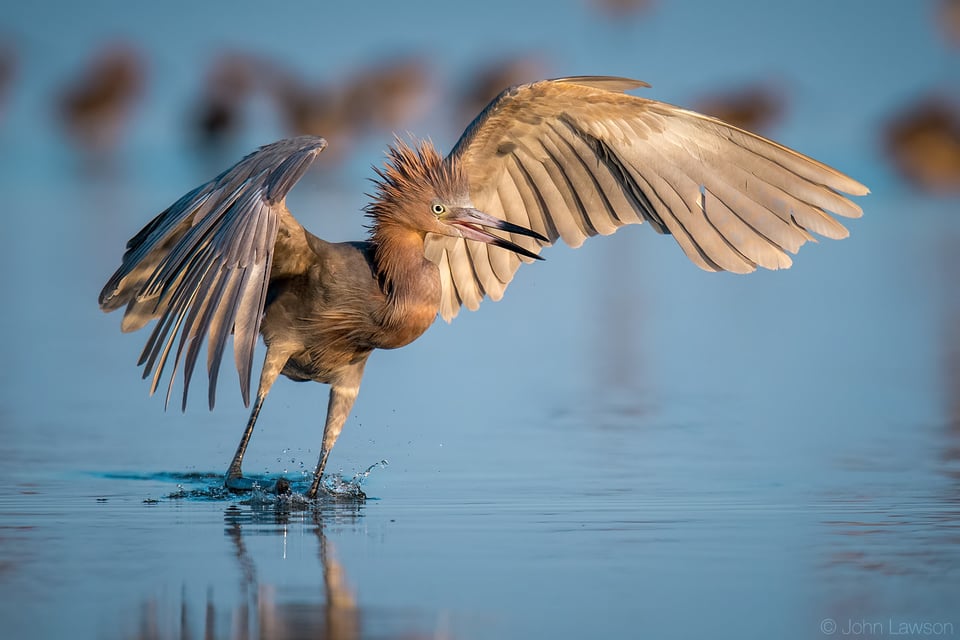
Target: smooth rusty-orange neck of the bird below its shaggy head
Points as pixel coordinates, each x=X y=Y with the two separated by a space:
x=410 y=280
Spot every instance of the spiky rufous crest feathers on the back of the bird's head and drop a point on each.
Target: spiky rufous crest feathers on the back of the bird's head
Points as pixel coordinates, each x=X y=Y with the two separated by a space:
x=411 y=174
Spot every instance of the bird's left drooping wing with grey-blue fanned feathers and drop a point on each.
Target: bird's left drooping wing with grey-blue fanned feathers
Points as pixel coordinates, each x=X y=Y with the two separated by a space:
x=202 y=267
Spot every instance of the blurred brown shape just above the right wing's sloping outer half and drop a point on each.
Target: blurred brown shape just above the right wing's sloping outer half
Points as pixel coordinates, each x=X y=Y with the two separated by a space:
x=754 y=107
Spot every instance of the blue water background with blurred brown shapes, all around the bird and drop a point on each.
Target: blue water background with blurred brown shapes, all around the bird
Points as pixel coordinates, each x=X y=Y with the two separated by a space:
x=624 y=445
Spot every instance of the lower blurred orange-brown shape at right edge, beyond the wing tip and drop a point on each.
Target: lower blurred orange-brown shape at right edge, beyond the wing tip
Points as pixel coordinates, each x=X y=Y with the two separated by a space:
x=923 y=141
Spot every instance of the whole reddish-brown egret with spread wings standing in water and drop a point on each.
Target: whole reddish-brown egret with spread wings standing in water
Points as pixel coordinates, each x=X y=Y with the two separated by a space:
x=562 y=159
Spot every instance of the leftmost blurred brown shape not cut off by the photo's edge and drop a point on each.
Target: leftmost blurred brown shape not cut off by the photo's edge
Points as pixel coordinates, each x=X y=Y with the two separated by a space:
x=97 y=103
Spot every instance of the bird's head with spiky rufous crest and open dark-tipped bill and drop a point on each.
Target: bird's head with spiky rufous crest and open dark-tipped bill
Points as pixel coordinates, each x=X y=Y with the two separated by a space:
x=419 y=191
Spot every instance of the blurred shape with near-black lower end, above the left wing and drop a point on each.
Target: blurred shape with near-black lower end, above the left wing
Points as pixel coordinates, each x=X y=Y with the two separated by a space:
x=230 y=82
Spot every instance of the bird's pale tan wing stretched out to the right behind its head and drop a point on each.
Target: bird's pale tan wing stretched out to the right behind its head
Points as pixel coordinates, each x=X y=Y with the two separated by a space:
x=576 y=157
